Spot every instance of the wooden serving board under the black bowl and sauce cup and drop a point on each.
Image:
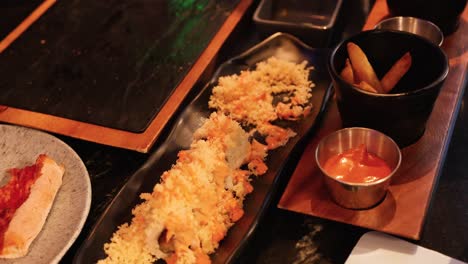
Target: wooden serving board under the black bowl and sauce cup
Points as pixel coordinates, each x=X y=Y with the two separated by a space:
x=403 y=211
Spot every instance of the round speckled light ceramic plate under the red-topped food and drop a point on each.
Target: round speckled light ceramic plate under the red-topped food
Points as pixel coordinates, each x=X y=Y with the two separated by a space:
x=19 y=147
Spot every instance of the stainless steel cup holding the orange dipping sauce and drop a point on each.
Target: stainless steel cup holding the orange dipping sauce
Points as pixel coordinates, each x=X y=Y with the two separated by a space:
x=358 y=195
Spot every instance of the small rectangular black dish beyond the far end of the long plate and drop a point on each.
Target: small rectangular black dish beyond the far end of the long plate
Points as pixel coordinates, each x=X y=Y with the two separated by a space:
x=311 y=21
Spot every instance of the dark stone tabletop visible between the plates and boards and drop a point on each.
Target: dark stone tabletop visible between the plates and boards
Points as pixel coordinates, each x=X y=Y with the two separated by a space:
x=287 y=237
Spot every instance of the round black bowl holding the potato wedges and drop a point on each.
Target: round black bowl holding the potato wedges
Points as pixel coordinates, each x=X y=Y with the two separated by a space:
x=401 y=114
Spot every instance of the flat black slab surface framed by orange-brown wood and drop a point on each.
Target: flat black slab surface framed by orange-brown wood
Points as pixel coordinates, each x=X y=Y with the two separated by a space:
x=112 y=63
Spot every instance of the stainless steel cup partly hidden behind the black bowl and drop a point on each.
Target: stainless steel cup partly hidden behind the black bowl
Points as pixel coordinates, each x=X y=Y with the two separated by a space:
x=417 y=26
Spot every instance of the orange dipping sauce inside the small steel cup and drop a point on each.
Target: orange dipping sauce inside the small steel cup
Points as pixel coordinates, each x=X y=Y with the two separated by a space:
x=356 y=165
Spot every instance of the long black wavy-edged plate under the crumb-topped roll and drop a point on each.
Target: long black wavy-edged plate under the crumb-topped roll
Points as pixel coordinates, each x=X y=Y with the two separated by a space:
x=119 y=211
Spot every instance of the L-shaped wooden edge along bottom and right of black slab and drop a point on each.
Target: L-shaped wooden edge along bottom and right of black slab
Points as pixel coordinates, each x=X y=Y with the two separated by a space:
x=141 y=142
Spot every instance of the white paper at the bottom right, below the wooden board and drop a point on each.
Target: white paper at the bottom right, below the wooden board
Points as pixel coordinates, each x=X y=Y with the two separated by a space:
x=376 y=247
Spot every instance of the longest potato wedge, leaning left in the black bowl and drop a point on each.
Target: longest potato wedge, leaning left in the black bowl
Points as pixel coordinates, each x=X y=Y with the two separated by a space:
x=363 y=70
